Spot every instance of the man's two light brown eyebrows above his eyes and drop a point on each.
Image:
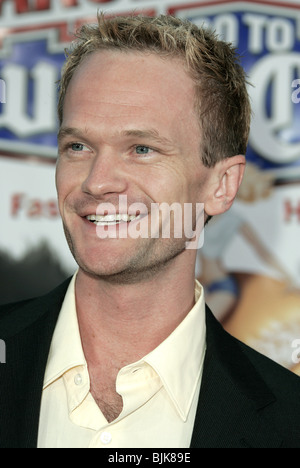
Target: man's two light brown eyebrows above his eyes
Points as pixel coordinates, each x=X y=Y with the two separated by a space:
x=142 y=134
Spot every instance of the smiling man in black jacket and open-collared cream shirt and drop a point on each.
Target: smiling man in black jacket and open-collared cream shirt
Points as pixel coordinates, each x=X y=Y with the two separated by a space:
x=152 y=112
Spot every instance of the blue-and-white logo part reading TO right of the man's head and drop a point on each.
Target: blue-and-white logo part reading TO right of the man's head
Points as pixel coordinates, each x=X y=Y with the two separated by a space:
x=268 y=38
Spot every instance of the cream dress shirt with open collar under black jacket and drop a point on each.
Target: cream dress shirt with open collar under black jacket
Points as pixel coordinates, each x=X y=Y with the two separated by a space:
x=160 y=392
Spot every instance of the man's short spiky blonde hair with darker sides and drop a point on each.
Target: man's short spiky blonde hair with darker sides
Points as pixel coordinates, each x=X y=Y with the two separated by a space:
x=222 y=101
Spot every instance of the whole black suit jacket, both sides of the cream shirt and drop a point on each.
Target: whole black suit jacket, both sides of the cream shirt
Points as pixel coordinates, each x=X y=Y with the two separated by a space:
x=246 y=400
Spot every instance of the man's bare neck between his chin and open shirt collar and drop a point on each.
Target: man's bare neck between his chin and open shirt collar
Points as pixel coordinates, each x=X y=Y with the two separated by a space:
x=133 y=319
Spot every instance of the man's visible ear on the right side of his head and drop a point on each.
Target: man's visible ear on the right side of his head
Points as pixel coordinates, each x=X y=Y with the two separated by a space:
x=227 y=177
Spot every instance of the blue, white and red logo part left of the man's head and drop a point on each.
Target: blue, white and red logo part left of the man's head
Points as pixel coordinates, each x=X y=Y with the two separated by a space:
x=31 y=57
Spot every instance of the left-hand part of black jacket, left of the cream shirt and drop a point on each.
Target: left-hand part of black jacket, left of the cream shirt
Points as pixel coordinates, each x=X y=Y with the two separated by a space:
x=27 y=333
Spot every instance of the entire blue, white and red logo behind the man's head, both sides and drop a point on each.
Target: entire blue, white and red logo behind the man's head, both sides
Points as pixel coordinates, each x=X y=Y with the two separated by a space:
x=31 y=58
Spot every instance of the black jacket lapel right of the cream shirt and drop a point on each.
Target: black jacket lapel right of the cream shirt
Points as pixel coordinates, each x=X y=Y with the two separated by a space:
x=233 y=398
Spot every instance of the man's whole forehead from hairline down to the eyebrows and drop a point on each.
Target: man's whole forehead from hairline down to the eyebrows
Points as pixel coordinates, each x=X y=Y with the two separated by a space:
x=112 y=91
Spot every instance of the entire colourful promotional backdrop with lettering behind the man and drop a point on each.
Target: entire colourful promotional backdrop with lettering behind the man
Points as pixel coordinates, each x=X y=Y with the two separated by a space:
x=250 y=262
